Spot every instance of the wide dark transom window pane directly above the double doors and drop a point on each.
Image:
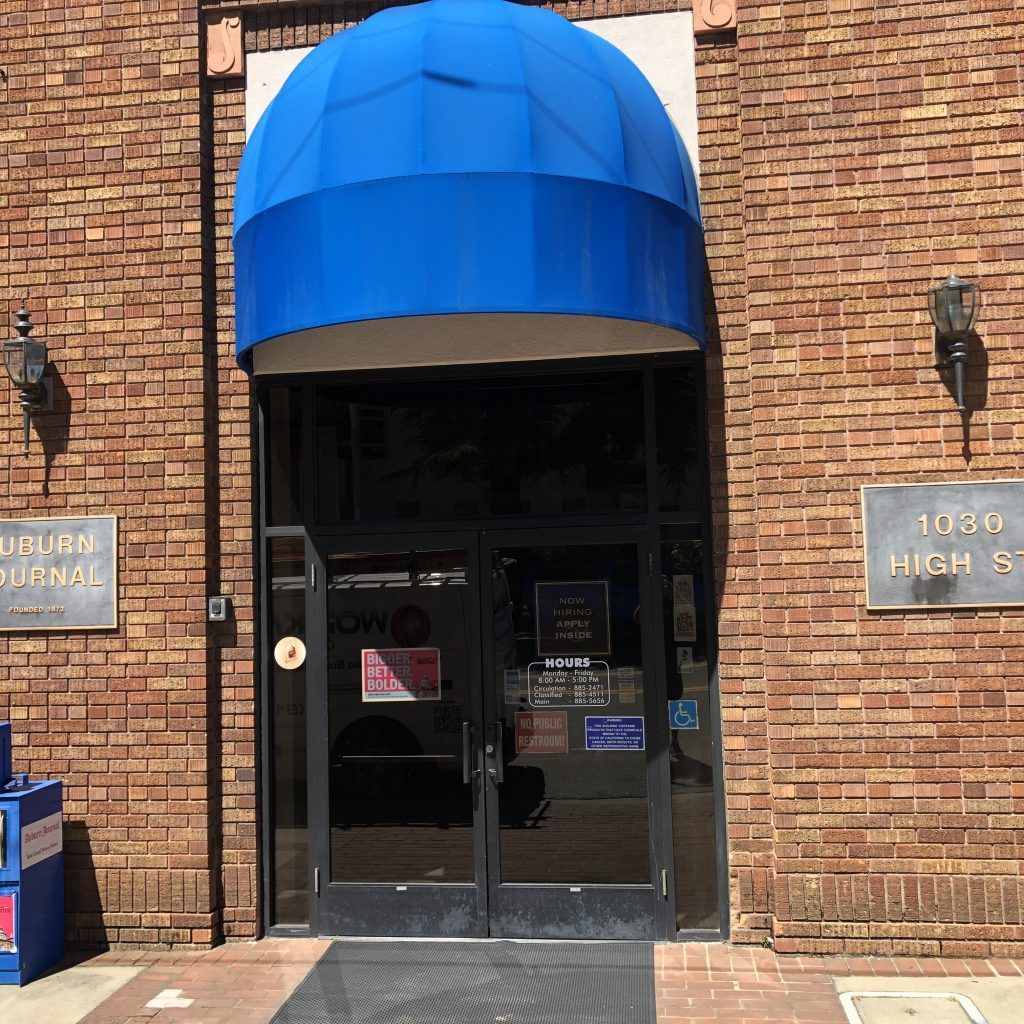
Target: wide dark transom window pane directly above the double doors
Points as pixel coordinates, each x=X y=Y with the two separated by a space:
x=451 y=450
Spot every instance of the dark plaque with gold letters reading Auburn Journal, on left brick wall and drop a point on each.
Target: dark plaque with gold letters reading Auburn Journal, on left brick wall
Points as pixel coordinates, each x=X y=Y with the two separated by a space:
x=59 y=574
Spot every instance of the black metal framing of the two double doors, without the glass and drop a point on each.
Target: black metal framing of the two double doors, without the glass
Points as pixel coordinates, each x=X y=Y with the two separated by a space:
x=473 y=910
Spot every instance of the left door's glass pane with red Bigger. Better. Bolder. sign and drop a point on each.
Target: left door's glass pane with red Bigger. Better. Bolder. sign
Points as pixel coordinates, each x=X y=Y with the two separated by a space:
x=399 y=679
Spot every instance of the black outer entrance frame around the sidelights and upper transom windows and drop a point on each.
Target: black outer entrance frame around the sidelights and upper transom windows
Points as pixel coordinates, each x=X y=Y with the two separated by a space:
x=381 y=532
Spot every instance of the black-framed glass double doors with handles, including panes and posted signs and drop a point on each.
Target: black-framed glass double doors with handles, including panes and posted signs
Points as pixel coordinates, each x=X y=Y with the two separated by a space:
x=487 y=746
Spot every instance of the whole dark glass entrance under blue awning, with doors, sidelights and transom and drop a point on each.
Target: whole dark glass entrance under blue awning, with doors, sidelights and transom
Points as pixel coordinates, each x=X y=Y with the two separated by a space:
x=501 y=719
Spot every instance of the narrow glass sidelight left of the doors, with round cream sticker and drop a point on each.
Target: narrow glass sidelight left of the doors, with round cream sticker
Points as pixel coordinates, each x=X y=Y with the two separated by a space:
x=290 y=825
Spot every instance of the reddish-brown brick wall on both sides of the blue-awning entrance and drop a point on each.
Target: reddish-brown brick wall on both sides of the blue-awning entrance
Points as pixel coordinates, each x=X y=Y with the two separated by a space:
x=850 y=158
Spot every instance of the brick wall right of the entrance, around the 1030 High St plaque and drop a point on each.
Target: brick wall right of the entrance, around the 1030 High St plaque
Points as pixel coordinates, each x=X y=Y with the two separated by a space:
x=874 y=760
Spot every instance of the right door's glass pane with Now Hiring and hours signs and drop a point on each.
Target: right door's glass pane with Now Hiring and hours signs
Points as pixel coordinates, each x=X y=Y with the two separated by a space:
x=570 y=677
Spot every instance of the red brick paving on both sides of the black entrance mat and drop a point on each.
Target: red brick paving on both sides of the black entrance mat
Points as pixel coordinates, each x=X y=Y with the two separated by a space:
x=245 y=984
